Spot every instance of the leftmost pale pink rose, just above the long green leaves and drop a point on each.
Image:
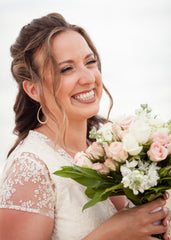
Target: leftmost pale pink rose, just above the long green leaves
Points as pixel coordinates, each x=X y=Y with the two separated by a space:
x=82 y=160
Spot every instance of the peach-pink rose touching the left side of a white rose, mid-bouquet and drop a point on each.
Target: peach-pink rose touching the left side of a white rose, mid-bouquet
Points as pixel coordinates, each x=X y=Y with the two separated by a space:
x=116 y=151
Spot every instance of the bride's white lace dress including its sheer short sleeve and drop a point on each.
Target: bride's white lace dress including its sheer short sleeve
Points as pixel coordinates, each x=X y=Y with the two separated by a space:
x=28 y=184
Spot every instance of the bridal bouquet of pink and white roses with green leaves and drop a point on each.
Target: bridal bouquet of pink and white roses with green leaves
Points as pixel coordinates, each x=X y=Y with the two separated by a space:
x=130 y=156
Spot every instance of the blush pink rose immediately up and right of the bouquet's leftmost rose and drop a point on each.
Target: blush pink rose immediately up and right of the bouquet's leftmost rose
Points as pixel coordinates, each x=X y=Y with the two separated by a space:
x=95 y=151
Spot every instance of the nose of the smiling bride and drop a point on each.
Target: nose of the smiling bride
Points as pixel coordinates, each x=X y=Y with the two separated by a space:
x=86 y=76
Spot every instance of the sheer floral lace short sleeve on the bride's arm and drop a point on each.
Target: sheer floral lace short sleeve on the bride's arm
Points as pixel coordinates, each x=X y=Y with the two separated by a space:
x=28 y=186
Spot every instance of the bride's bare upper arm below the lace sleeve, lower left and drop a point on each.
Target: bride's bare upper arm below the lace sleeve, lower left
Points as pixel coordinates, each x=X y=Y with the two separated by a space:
x=19 y=225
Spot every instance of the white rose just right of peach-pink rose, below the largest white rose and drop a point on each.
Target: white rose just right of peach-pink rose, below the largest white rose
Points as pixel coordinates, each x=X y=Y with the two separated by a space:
x=131 y=145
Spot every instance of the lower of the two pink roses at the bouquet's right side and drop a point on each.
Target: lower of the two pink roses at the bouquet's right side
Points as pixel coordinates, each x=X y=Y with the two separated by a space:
x=157 y=152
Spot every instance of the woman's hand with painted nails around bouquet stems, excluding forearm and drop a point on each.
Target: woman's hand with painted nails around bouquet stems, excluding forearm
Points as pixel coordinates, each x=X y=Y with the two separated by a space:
x=137 y=223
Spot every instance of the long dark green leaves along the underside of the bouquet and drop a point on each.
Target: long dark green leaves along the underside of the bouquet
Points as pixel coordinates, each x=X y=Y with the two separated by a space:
x=100 y=187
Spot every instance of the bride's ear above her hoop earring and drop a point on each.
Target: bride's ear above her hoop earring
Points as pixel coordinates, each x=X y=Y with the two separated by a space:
x=32 y=90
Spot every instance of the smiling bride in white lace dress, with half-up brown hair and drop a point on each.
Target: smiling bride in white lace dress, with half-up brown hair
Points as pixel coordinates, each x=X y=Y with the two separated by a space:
x=57 y=69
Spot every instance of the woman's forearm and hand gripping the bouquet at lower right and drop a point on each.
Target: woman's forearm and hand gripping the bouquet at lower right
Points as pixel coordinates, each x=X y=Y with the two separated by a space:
x=135 y=223
